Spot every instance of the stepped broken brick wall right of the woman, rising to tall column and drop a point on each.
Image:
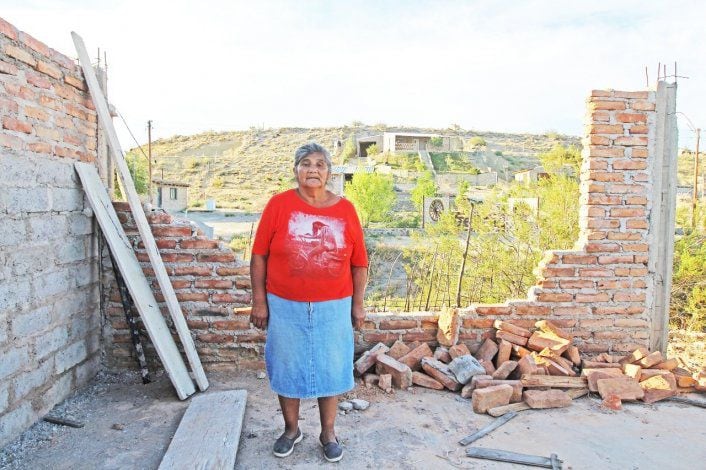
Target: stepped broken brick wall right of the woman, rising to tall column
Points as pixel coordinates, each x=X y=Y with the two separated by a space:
x=602 y=290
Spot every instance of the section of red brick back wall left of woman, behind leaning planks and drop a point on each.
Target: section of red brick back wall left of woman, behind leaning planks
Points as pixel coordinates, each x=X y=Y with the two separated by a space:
x=212 y=289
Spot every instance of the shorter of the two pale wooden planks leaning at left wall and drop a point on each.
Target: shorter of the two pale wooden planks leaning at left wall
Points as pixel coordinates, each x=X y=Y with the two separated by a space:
x=133 y=276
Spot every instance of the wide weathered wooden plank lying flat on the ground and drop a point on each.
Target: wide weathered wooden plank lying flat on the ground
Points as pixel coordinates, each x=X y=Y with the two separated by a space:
x=209 y=432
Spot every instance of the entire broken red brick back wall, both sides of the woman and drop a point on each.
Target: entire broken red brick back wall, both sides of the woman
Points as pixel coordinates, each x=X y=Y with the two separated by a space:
x=601 y=291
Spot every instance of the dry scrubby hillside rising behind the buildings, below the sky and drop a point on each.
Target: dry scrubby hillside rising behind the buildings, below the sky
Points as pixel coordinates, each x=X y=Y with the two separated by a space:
x=241 y=169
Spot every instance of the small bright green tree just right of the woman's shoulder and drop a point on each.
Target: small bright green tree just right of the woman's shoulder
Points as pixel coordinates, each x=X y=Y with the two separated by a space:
x=373 y=196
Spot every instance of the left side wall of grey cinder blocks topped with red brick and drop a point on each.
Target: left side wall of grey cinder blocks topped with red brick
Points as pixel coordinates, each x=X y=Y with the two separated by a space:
x=49 y=285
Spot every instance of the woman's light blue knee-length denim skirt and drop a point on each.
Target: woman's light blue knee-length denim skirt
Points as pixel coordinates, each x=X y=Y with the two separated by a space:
x=309 y=347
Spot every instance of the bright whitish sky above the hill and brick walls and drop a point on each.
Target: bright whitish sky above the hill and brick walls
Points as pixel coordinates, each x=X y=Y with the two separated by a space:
x=505 y=66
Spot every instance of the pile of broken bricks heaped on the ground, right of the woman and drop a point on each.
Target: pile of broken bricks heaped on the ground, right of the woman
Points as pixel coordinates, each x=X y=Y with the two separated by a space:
x=525 y=369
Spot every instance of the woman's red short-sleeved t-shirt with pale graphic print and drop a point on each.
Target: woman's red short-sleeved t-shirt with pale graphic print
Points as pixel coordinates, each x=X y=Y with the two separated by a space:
x=310 y=250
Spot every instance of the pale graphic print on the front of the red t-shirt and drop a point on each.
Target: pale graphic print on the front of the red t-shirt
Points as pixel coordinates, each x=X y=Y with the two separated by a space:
x=317 y=245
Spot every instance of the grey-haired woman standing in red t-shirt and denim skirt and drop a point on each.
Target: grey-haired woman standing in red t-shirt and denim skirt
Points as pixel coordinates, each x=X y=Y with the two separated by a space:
x=308 y=272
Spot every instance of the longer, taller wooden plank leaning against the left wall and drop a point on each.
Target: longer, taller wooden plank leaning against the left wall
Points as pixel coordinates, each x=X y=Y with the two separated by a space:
x=138 y=213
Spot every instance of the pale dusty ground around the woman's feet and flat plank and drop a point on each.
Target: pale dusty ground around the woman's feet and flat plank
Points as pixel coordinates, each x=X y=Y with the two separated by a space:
x=129 y=425
